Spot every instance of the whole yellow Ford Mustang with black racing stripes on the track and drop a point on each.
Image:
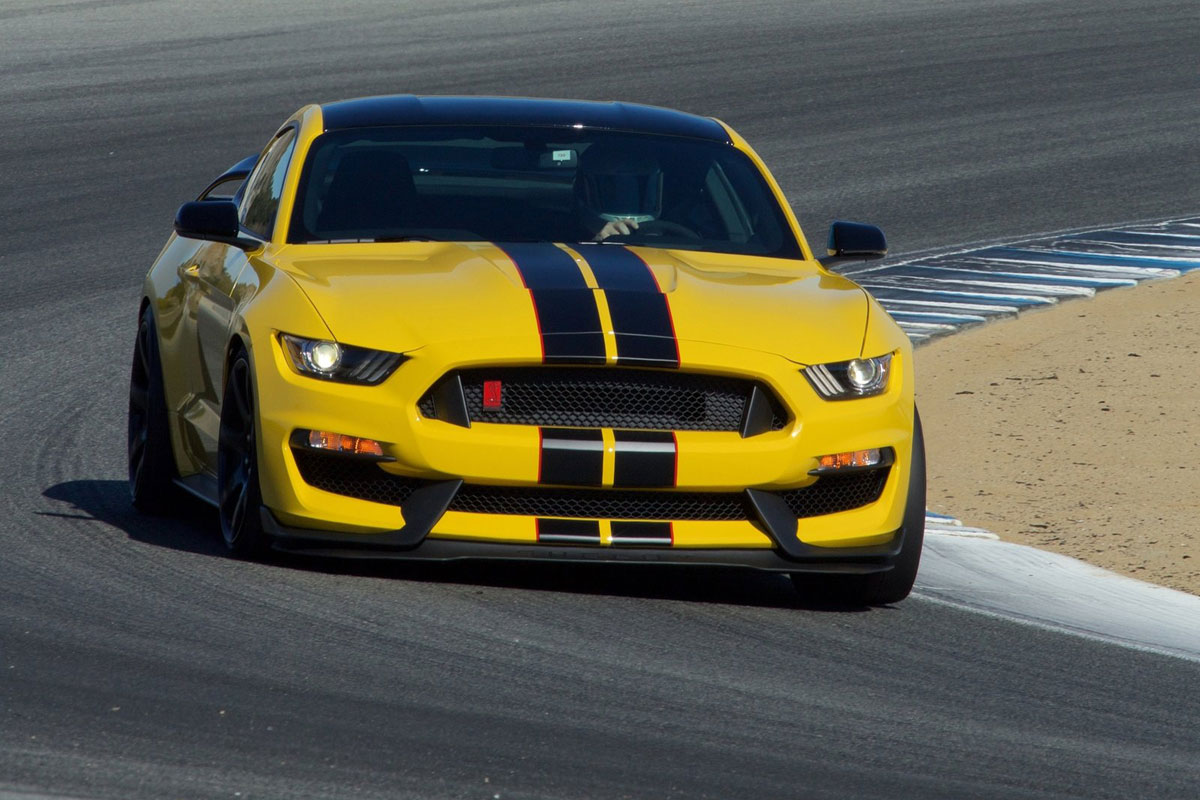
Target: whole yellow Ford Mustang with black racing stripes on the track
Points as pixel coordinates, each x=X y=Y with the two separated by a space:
x=441 y=328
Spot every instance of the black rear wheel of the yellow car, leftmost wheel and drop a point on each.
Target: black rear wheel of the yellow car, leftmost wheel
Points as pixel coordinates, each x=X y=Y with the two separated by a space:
x=152 y=462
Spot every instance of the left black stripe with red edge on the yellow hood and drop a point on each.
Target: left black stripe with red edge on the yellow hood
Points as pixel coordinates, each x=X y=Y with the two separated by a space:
x=568 y=318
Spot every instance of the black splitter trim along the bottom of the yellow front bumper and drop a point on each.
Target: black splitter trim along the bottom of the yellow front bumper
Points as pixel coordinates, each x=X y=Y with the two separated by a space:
x=400 y=545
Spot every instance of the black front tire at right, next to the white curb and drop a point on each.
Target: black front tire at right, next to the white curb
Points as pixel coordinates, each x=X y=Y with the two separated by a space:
x=896 y=585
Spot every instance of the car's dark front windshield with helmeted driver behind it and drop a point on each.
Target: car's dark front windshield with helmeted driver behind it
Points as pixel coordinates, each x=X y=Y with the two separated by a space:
x=531 y=184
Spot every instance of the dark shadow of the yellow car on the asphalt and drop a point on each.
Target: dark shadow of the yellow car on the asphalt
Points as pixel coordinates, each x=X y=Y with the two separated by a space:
x=193 y=528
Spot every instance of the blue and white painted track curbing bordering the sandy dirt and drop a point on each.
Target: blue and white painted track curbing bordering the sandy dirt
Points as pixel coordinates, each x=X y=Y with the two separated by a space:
x=969 y=568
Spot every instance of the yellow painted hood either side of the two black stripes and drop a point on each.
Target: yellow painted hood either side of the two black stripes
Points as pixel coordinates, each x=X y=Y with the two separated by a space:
x=401 y=297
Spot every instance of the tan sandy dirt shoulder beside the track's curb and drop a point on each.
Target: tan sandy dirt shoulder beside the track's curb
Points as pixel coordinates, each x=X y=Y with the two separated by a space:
x=1077 y=429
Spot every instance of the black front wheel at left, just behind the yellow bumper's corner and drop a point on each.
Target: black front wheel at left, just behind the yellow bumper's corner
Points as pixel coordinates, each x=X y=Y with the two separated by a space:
x=239 y=497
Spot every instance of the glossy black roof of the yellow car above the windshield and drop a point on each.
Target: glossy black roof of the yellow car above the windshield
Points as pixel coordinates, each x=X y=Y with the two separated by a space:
x=410 y=110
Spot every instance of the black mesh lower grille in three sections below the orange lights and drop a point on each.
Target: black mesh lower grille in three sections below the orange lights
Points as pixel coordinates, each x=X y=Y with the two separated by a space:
x=367 y=482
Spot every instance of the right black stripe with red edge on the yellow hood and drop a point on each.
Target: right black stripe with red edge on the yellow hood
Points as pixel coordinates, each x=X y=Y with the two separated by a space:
x=641 y=316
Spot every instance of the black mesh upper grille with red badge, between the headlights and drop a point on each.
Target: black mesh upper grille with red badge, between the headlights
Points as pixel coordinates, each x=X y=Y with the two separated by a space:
x=609 y=398
